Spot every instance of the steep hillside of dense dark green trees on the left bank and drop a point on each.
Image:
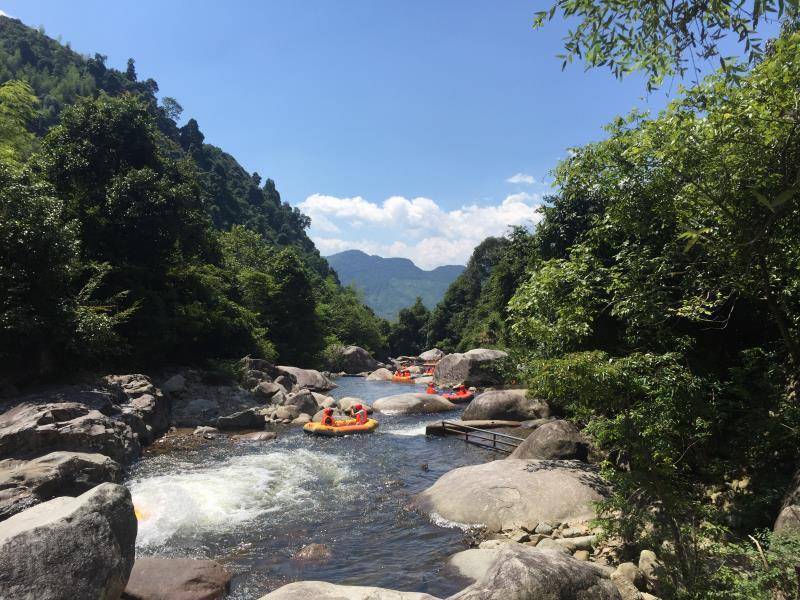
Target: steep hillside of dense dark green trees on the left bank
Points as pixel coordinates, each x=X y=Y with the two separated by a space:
x=126 y=239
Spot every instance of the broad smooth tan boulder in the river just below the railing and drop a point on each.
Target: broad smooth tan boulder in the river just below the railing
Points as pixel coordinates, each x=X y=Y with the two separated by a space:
x=511 y=493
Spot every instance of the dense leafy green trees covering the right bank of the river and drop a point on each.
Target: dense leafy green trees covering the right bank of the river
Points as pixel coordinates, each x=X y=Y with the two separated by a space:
x=657 y=304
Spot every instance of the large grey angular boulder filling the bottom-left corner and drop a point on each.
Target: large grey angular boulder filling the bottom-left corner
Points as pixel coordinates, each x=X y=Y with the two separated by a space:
x=69 y=548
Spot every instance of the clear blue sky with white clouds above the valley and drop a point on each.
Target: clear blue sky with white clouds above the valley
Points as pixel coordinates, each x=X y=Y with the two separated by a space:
x=407 y=128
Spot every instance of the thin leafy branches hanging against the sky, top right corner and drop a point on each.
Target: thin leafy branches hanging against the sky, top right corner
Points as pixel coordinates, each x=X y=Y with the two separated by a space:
x=660 y=39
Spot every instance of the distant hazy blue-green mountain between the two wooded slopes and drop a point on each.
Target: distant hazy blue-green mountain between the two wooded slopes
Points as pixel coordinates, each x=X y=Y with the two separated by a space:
x=390 y=284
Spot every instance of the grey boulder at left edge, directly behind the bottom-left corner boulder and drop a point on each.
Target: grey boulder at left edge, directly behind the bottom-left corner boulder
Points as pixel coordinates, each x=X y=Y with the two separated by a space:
x=26 y=483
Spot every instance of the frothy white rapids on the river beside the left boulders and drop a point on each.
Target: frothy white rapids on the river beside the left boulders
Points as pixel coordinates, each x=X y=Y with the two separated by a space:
x=222 y=496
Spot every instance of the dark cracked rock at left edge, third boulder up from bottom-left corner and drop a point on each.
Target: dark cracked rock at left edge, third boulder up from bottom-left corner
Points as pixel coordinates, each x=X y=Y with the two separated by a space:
x=30 y=430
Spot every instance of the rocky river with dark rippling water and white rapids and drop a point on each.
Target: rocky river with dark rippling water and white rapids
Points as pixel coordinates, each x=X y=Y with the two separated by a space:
x=252 y=506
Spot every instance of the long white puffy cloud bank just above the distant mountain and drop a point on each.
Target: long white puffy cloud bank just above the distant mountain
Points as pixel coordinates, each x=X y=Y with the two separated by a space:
x=415 y=228
